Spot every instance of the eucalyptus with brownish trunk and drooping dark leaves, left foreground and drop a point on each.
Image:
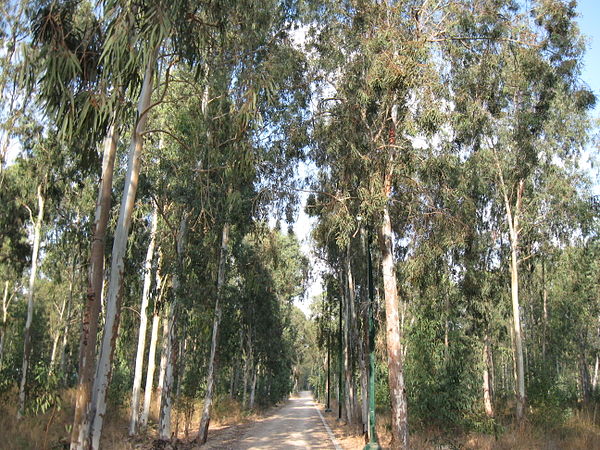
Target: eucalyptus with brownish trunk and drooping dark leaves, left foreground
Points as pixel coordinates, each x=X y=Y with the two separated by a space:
x=75 y=92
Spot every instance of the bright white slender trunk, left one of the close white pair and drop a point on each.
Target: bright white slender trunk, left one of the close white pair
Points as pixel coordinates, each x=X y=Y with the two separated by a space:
x=141 y=347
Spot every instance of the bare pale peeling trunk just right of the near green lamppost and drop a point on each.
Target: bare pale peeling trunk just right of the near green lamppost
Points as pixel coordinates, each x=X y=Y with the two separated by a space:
x=393 y=335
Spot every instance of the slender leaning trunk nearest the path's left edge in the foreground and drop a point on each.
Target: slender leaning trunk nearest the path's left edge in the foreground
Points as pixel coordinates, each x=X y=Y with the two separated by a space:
x=210 y=381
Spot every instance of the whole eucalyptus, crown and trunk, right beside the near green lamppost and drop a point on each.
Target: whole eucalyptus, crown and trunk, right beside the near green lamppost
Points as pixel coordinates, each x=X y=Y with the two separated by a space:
x=385 y=94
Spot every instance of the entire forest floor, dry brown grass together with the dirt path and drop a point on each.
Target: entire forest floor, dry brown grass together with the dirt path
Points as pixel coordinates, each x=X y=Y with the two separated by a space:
x=231 y=426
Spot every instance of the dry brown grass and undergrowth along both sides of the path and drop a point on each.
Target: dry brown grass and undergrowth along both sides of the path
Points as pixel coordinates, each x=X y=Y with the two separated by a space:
x=51 y=430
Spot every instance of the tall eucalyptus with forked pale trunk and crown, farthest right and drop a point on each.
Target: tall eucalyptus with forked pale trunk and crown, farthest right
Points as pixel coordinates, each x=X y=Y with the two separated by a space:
x=516 y=109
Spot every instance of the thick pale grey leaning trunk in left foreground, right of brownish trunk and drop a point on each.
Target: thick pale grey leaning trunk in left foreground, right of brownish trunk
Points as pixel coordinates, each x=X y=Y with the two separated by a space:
x=111 y=322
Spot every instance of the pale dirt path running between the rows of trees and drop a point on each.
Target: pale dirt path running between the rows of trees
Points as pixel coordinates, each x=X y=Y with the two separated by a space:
x=296 y=425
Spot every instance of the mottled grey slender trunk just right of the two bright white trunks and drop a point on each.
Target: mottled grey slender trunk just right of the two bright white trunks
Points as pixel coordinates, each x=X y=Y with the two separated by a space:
x=170 y=341
